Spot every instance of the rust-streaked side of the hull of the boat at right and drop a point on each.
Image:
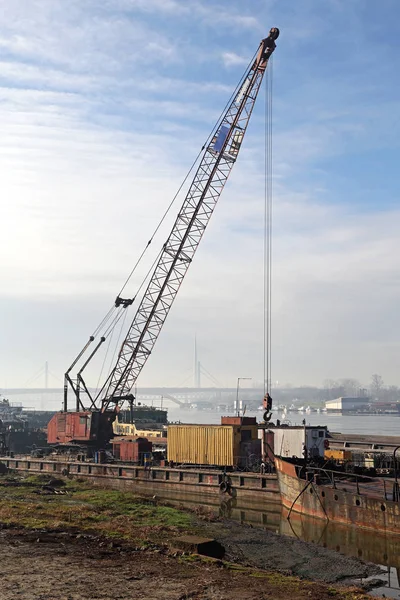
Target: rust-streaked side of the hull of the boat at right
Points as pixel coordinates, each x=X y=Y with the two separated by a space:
x=326 y=502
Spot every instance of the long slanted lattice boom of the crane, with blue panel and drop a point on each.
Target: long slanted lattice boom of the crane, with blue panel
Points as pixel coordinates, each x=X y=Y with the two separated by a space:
x=177 y=253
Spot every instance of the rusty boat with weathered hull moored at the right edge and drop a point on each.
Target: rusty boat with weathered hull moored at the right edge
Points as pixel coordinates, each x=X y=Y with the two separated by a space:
x=340 y=497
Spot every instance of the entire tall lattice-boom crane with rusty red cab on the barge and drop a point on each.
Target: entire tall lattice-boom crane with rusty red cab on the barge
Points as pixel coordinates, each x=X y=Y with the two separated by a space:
x=91 y=423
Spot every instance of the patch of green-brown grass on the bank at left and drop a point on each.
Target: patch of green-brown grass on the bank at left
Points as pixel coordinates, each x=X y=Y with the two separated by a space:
x=106 y=512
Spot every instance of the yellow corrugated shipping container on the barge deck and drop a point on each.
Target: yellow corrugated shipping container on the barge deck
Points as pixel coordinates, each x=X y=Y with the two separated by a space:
x=218 y=445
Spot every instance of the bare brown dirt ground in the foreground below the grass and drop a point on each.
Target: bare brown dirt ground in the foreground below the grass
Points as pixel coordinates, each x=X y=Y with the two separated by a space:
x=54 y=566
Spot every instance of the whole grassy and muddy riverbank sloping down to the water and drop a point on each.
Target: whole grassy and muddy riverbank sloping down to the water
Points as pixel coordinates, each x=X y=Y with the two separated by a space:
x=66 y=540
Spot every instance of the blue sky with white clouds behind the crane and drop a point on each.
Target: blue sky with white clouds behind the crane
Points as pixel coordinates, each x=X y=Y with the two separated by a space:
x=103 y=106
